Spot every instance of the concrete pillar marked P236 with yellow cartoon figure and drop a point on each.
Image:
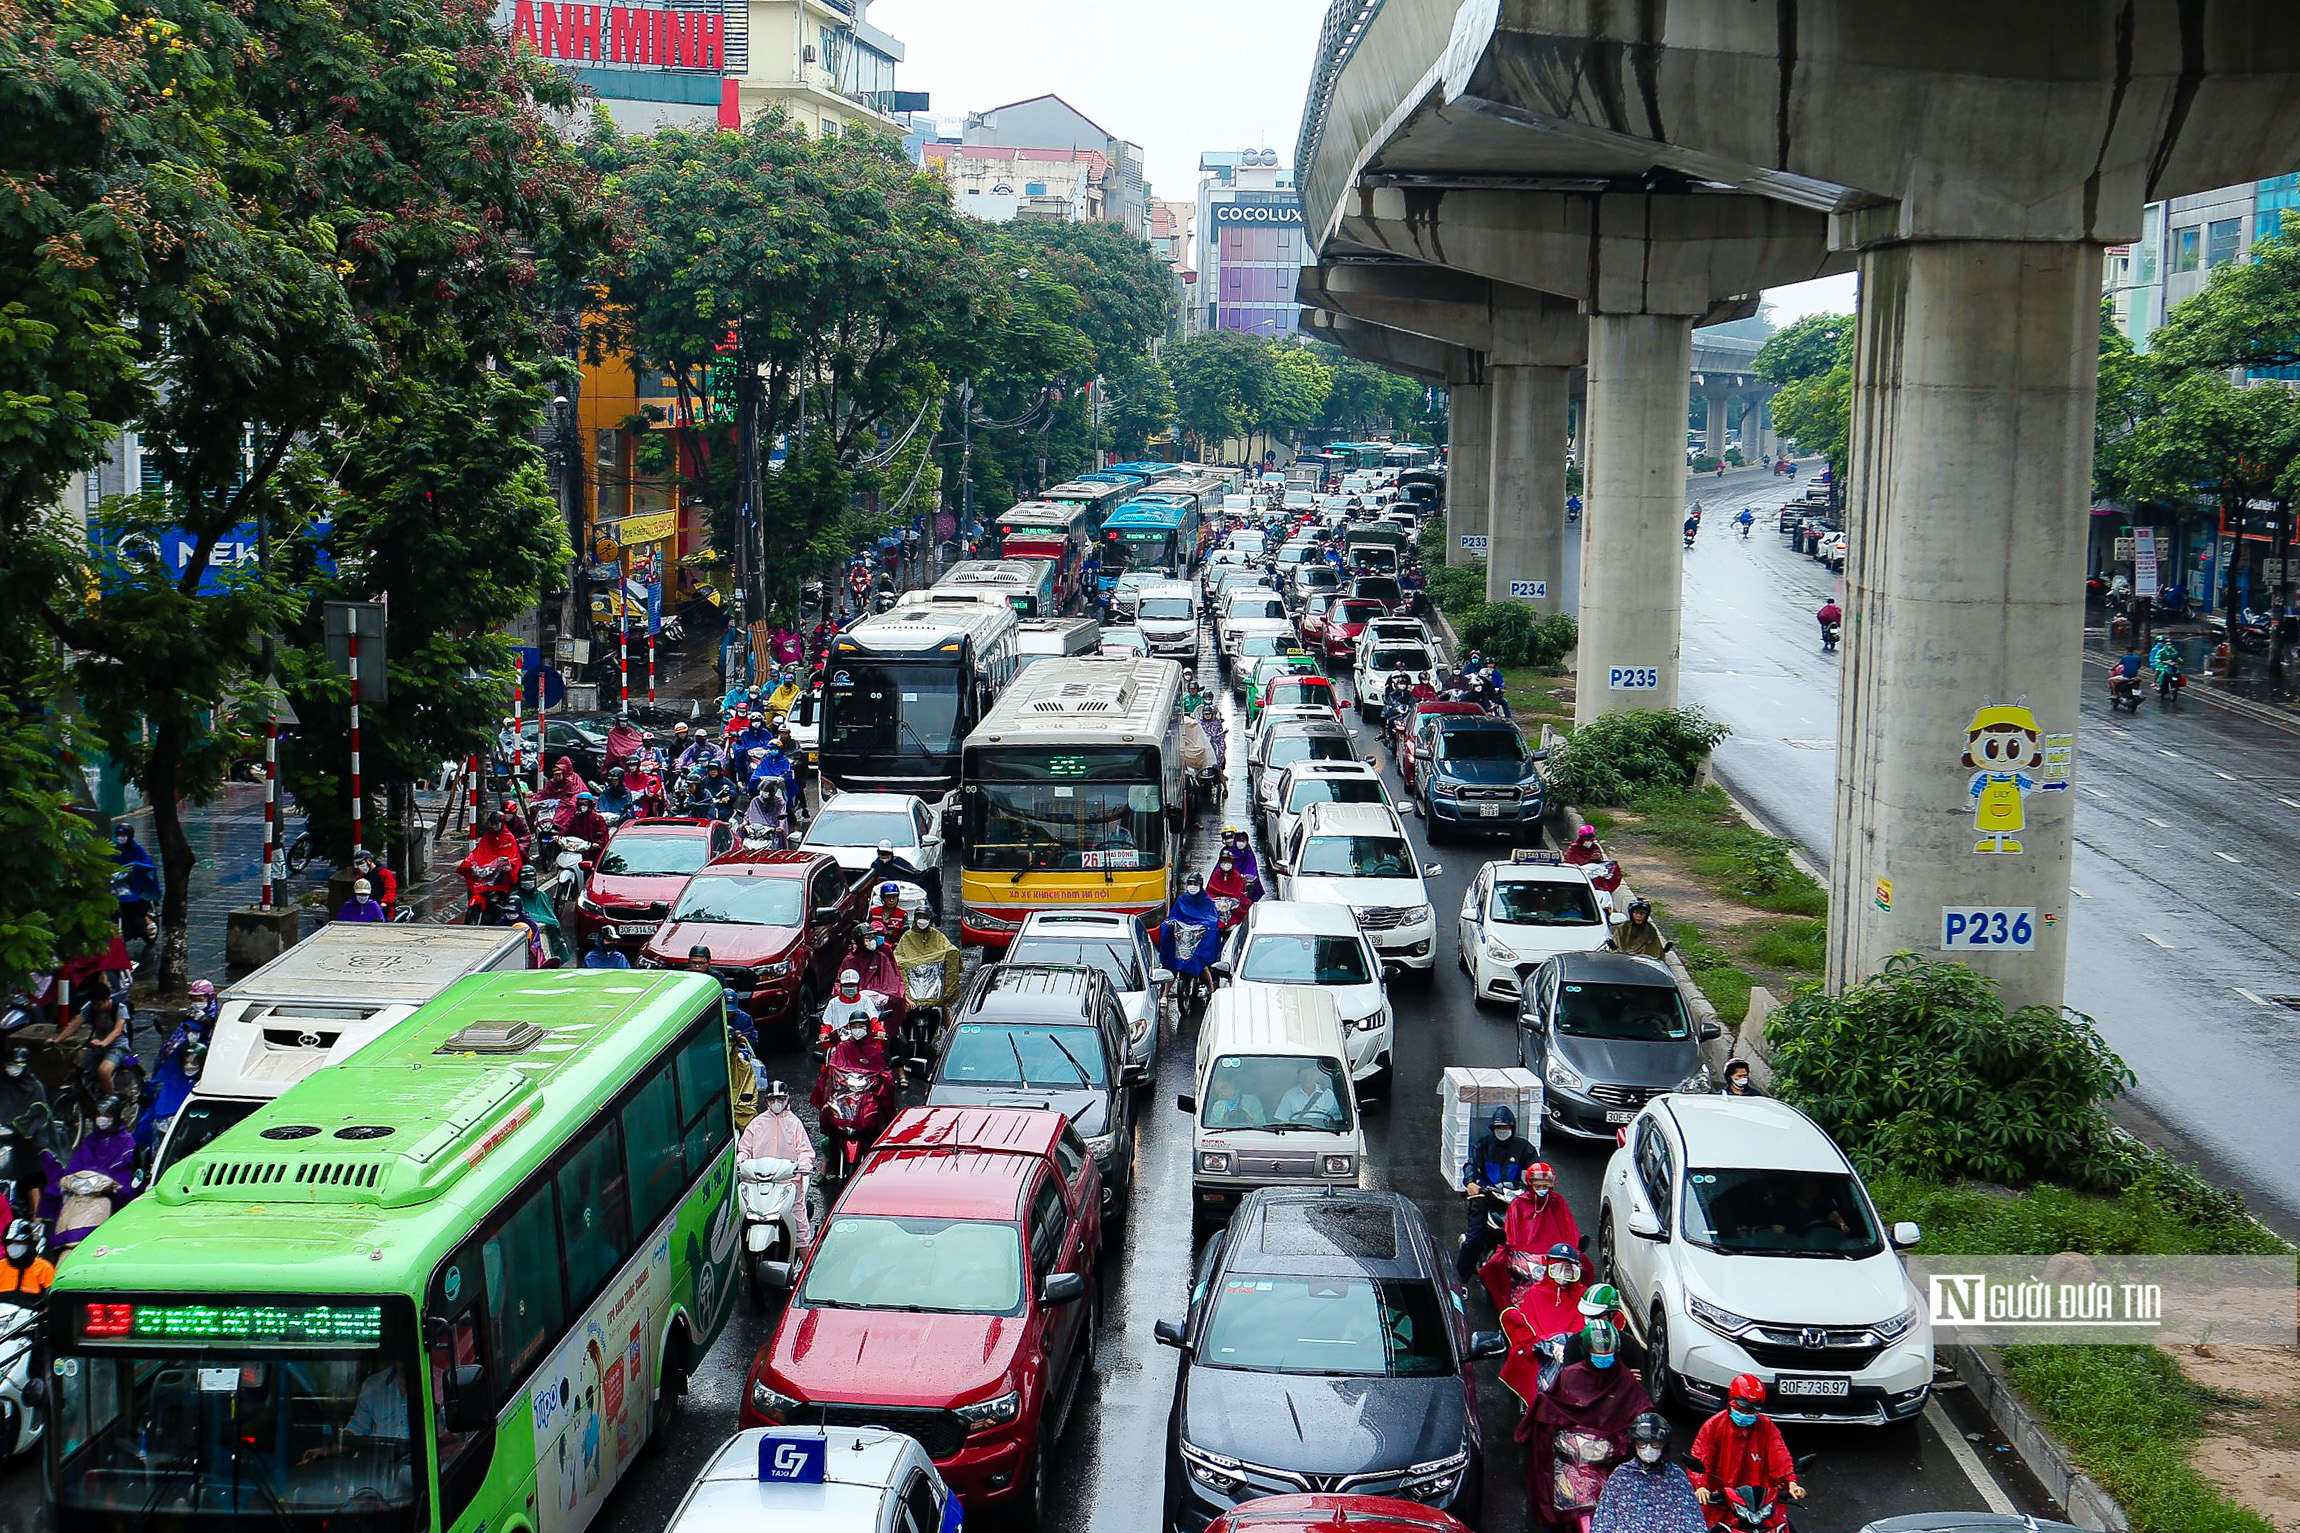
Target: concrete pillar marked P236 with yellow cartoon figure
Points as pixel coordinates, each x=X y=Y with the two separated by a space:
x=1972 y=454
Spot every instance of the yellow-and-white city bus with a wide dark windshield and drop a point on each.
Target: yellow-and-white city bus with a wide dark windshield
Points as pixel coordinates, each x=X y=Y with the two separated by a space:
x=1073 y=796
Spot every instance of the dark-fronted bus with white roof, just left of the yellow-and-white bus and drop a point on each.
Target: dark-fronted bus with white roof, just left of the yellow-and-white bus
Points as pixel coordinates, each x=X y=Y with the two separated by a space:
x=903 y=688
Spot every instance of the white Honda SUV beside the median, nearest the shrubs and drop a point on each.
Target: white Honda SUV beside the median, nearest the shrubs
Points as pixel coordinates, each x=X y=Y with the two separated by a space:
x=1745 y=1245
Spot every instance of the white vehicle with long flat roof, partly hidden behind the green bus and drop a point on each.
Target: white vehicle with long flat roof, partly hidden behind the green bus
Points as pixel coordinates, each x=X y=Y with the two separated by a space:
x=321 y=1003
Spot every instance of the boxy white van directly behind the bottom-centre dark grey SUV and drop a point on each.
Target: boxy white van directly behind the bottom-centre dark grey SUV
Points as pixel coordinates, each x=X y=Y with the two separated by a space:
x=1275 y=1104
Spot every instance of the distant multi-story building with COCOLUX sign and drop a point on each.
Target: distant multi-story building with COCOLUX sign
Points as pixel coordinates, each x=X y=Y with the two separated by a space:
x=1250 y=245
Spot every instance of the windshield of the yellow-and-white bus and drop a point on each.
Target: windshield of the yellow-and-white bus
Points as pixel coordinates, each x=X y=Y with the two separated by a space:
x=1094 y=810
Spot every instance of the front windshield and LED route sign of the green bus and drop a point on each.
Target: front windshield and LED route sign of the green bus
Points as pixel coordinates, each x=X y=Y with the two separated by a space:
x=187 y=1412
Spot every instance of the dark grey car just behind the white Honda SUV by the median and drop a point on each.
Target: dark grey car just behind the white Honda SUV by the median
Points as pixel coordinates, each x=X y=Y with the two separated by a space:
x=1607 y=1033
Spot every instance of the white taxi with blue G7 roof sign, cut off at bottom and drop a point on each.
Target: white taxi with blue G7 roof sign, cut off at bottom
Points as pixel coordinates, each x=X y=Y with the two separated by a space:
x=818 y=1481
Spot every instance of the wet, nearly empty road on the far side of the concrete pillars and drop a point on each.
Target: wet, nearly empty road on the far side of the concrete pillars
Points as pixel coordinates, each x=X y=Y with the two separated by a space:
x=2186 y=904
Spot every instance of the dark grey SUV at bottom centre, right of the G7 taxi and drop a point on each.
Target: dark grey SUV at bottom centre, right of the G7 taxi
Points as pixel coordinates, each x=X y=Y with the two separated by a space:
x=1326 y=1350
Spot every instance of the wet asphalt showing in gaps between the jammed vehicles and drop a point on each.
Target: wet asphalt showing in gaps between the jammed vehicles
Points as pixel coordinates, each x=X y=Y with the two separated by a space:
x=1112 y=1477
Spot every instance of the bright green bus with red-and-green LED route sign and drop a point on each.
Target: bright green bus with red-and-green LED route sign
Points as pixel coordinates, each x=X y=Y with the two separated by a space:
x=457 y=1281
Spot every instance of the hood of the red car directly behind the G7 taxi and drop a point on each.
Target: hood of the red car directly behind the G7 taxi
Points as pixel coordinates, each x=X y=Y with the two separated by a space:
x=884 y=1357
